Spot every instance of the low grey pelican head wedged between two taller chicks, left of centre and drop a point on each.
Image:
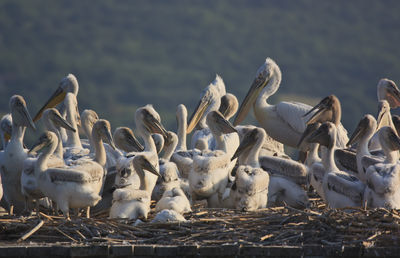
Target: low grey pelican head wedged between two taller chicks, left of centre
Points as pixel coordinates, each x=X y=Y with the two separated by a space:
x=125 y=140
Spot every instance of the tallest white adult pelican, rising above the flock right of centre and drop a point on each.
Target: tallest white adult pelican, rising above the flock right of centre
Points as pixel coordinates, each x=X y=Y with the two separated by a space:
x=283 y=121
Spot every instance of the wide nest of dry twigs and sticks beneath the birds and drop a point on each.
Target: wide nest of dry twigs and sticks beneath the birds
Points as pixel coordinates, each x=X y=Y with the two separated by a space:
x=283 y=226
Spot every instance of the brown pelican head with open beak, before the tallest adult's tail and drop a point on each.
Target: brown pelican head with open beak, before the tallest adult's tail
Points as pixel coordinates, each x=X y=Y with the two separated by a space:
x=328 y=109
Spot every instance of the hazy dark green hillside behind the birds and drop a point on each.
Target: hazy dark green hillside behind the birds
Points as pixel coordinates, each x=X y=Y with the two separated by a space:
x=126 y=54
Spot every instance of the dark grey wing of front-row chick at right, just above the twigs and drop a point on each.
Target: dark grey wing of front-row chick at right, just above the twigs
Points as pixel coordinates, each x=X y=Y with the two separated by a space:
x=346 y=185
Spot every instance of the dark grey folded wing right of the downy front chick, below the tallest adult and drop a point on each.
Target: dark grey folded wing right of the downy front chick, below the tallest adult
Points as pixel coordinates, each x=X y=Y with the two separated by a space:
x=284 y=167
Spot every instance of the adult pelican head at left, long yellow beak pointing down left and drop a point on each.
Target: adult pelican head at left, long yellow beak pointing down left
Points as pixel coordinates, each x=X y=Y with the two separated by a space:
x=67 y=84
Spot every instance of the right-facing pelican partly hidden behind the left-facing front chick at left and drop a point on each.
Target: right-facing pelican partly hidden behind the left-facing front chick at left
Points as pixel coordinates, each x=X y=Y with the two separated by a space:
x=29 y=186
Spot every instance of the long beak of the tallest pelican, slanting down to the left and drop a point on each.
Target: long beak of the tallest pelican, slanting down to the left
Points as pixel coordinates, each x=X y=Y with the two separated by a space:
x=258 y=84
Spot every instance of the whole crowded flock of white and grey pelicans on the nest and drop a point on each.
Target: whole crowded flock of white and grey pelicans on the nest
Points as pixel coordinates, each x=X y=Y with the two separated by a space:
x=228 y=165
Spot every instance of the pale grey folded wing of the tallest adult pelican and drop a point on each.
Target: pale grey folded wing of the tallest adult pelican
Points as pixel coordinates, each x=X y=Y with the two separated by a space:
x=292 y=113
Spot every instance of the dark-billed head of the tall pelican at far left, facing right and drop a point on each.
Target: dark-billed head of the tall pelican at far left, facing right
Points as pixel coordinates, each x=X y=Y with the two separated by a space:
x=19 y=112
